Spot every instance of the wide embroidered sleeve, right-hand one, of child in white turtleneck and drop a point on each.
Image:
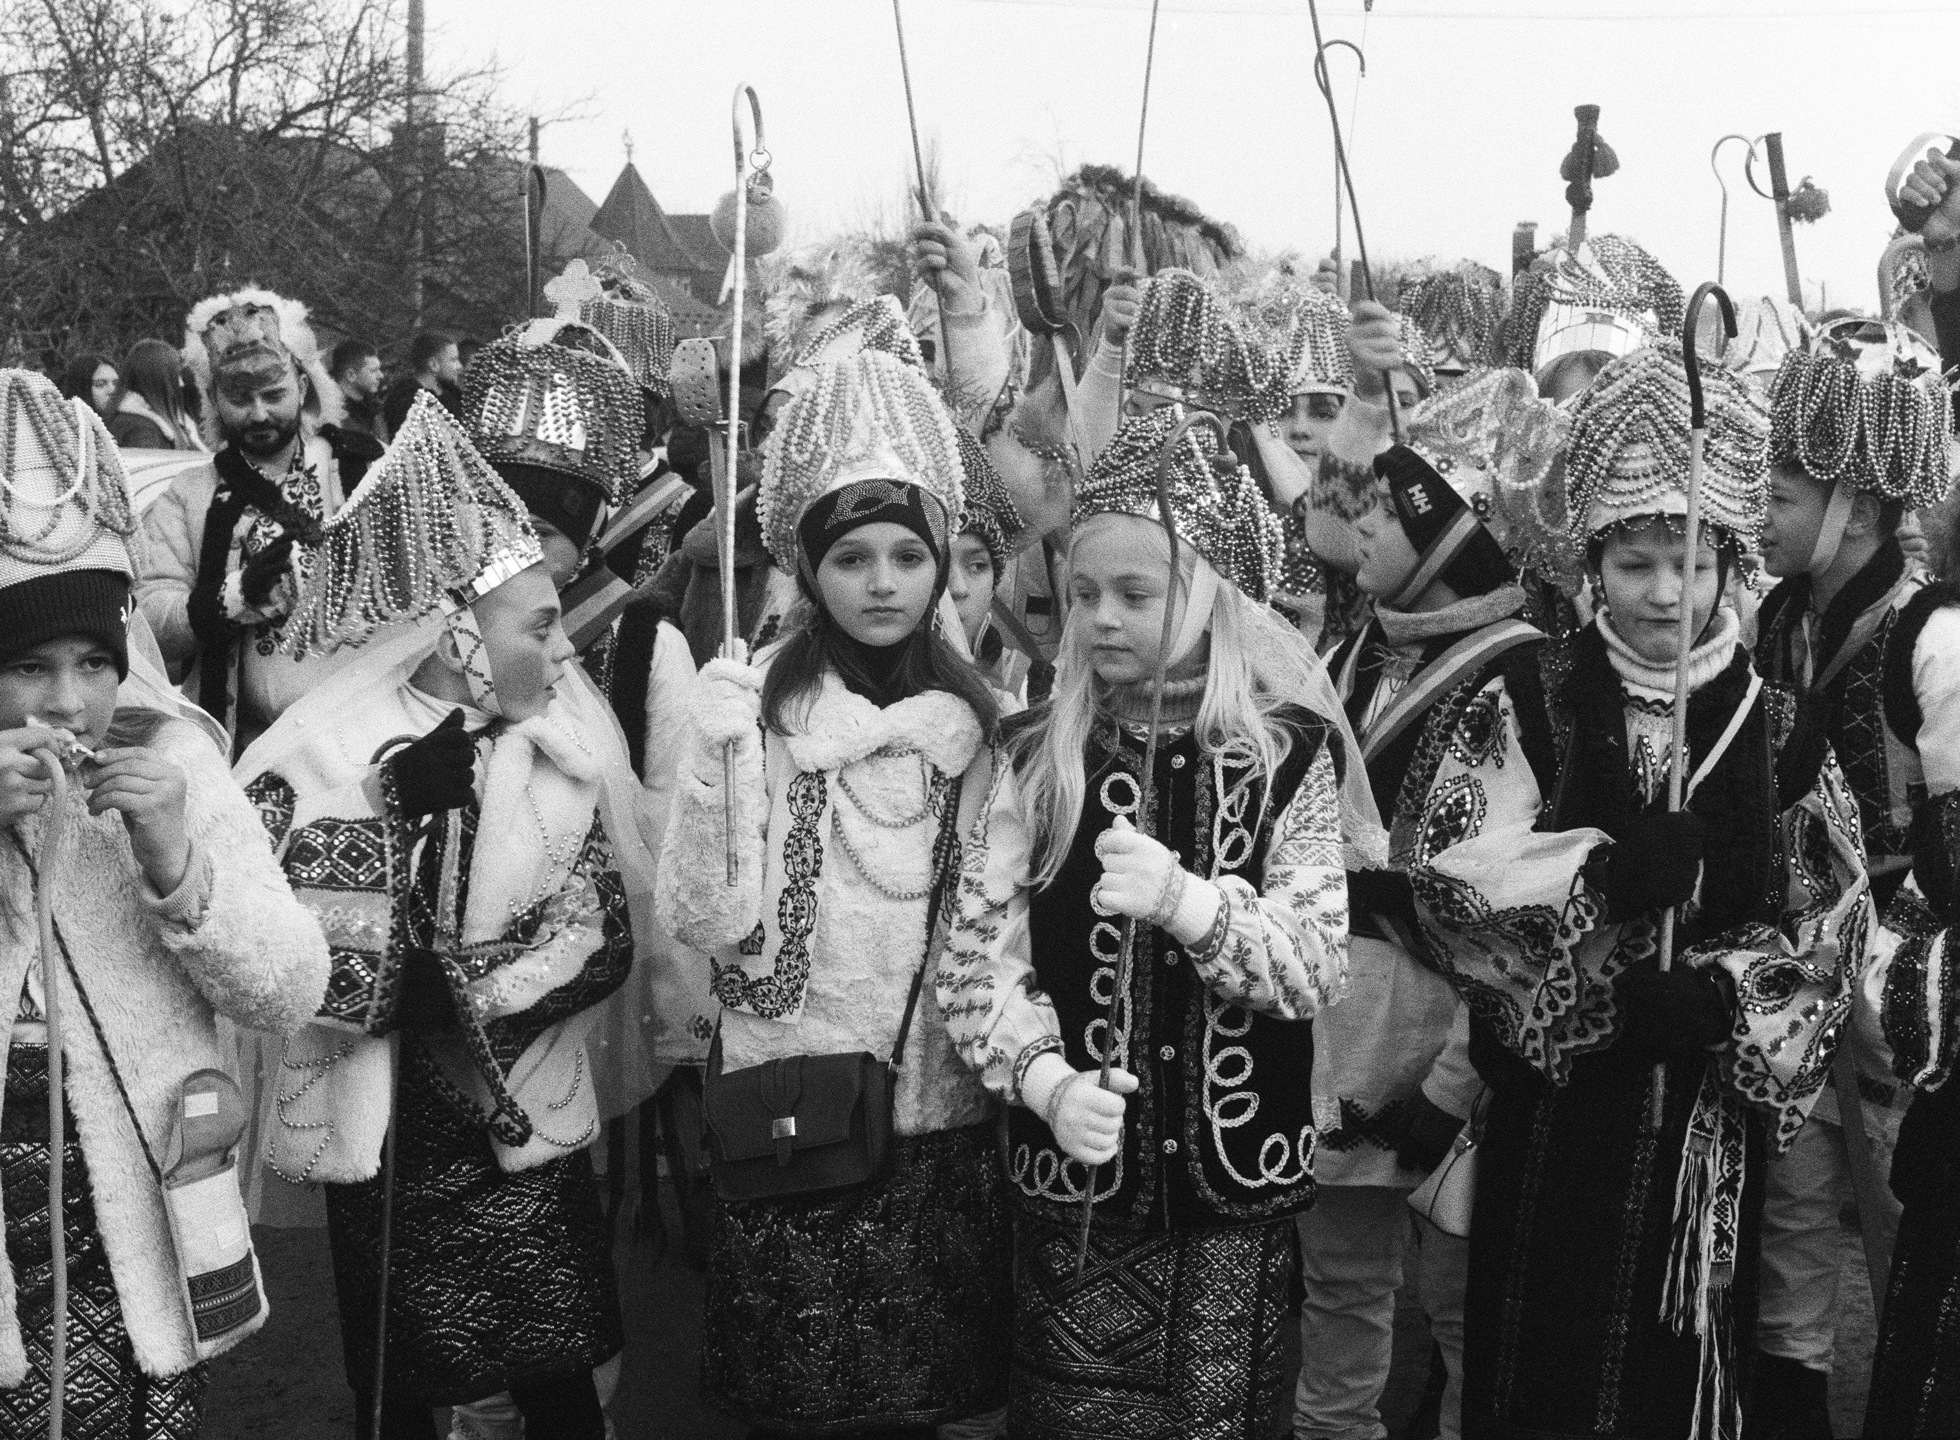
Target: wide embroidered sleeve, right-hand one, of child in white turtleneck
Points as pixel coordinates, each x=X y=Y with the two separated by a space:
x=1796 y=984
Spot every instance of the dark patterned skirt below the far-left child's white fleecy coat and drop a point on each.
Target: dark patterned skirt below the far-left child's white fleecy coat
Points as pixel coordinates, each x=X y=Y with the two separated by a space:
x=107 y=1398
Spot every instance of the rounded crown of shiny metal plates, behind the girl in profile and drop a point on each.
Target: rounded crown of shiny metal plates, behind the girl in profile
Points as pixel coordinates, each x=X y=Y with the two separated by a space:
x=558 y=395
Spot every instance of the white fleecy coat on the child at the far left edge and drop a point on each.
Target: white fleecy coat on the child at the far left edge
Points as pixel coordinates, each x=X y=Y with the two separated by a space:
x=156 y=971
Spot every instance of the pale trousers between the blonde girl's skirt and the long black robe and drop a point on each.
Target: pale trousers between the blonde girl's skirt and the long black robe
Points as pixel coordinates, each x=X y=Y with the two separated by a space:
x=1353 y=1247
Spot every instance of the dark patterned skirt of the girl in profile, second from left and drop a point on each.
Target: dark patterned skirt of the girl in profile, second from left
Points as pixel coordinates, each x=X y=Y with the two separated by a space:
x=495 y=1278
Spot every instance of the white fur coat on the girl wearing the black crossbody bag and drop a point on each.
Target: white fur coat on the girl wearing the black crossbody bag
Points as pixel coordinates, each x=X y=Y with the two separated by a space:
x=816 y=945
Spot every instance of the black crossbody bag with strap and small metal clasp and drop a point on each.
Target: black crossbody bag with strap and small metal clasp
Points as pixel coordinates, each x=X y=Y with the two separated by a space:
x=818 y=1124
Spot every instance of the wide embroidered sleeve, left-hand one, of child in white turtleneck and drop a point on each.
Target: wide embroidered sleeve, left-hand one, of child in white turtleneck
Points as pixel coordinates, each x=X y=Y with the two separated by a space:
x=1506 y=912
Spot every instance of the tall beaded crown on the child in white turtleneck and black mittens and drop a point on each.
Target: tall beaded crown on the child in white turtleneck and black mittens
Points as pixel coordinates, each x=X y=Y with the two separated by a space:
x=1628 y=456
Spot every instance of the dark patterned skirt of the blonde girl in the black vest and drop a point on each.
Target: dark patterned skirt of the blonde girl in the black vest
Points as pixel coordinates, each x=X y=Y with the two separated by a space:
x=1167 y=1337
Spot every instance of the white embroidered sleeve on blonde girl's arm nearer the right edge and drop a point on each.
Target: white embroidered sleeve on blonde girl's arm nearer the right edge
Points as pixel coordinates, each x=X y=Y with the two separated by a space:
x=1281 y=951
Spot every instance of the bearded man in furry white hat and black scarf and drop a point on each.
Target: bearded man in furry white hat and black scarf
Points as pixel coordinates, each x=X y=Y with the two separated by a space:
x=226 y=548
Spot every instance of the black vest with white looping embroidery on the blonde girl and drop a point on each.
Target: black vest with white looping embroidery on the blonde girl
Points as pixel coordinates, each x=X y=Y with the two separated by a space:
x=1222 y=1126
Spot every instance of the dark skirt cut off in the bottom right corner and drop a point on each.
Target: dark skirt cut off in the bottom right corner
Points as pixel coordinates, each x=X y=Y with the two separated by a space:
x=1916 y=1370
